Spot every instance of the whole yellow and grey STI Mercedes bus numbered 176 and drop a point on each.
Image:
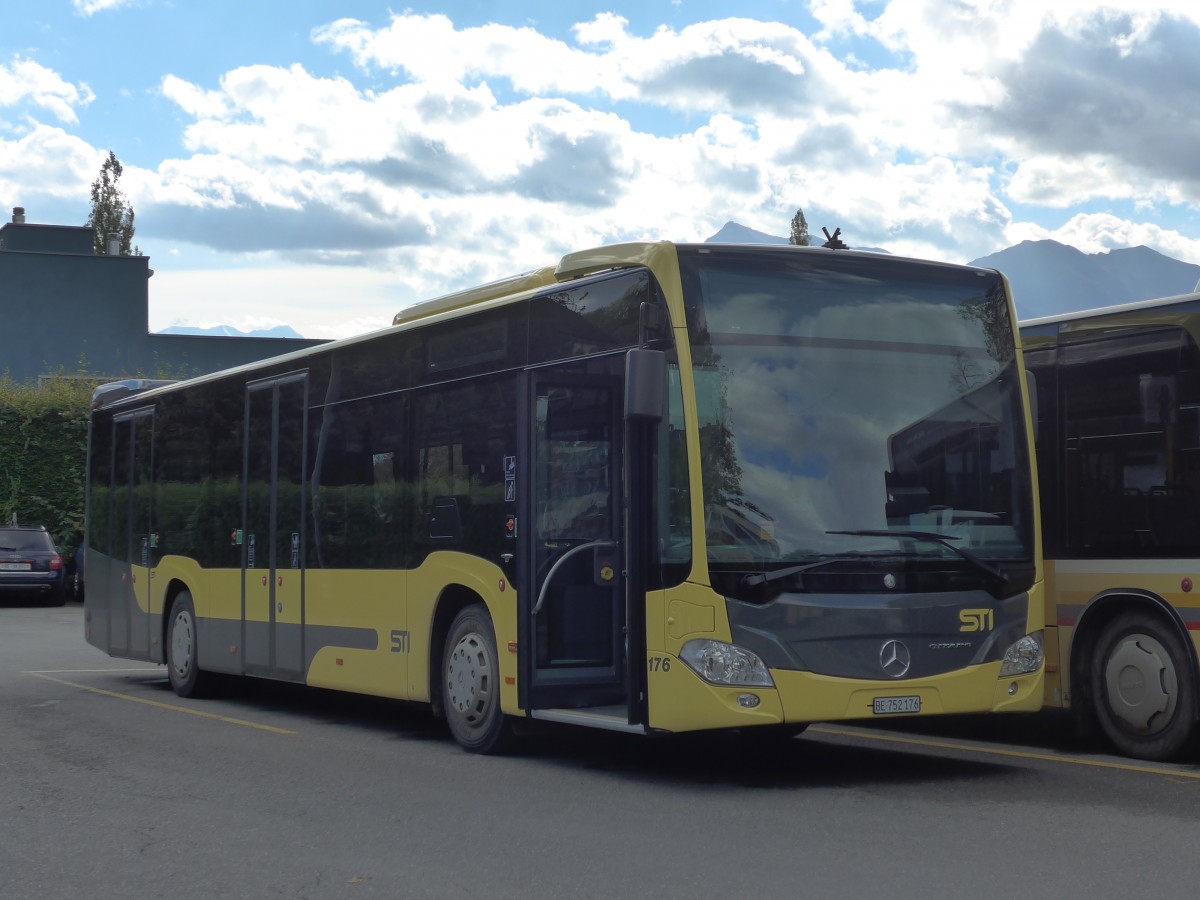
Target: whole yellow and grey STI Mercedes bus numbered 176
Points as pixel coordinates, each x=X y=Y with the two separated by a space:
x=655 y=488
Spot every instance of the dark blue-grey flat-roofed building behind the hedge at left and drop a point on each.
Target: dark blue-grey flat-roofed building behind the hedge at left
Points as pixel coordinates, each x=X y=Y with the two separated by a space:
x=67 y=310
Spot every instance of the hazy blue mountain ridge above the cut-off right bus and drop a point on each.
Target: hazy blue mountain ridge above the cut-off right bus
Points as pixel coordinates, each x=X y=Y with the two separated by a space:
x=1049 y=278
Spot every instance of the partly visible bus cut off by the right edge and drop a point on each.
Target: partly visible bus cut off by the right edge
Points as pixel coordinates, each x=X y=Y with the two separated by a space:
x=1119 y=464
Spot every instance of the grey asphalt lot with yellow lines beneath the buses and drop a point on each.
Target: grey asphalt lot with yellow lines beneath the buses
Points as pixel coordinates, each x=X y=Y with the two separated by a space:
x=111 y=787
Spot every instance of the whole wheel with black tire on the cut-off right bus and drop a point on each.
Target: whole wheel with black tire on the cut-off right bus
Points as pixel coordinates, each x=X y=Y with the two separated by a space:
x=1144 y=688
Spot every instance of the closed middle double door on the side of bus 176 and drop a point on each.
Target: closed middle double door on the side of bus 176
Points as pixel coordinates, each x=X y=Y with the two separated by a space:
x=274 y=503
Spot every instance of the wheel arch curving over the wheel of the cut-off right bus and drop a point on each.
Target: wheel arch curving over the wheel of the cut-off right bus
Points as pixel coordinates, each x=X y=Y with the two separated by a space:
x=1097 y=614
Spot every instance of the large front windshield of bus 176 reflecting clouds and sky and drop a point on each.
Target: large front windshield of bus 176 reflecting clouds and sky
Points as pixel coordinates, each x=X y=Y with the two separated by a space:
x=857 y=410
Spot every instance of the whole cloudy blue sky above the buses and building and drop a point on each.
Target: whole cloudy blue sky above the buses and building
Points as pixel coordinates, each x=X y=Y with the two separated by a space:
x=325 y=165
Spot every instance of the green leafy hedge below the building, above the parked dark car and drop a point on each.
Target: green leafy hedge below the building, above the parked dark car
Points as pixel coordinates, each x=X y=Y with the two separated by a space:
x=44 y=448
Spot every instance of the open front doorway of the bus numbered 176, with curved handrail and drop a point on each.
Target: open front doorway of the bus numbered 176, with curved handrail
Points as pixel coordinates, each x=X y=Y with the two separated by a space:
x=572 y=536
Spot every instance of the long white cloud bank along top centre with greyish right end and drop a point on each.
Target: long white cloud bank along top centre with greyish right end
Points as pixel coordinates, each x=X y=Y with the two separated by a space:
x=703 y=68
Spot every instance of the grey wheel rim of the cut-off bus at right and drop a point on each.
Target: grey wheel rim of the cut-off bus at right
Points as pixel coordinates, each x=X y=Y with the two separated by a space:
x=1141 y=685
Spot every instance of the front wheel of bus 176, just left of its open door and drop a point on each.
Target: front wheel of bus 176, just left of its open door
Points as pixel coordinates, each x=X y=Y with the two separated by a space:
x=471 y=685
